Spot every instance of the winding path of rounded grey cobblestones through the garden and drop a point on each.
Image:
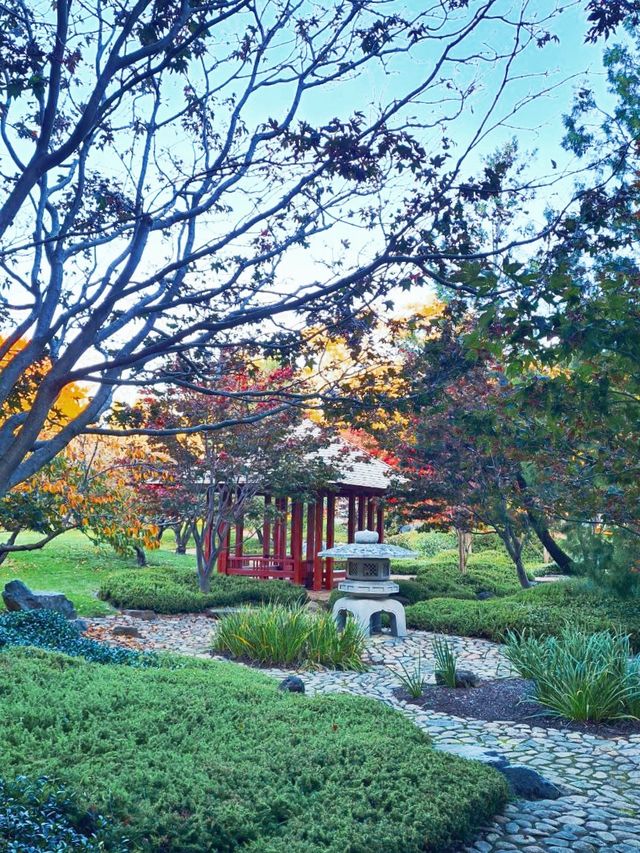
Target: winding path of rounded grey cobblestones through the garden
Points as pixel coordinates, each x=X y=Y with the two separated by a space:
x=601 y=777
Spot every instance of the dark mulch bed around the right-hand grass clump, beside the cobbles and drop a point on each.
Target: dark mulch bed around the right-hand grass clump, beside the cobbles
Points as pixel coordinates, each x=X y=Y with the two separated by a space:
x=509 y=700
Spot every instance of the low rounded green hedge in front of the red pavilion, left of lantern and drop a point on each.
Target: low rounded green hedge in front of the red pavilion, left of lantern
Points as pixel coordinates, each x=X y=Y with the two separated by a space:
x=173 y=590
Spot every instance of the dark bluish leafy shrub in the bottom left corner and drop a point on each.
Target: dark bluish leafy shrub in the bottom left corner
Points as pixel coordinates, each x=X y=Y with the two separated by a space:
x=37 y=815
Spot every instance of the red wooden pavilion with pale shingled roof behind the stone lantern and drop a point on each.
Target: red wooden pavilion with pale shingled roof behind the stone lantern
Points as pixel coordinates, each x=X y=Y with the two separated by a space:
x=291 y=542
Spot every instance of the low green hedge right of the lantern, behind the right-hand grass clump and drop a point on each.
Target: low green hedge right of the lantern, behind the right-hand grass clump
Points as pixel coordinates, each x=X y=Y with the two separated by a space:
x=544 y=610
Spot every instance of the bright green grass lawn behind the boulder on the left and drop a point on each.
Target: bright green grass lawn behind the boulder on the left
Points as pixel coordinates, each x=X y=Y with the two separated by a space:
x=72 y=564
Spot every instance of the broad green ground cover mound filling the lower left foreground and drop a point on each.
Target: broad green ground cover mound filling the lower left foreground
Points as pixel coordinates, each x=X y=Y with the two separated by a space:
x=212 y=757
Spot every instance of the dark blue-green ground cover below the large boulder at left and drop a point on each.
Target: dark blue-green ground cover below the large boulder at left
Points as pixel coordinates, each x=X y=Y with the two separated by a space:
x=46 y=629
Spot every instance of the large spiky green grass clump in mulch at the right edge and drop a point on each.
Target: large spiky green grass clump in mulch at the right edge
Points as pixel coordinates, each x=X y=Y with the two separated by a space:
x=580 y=676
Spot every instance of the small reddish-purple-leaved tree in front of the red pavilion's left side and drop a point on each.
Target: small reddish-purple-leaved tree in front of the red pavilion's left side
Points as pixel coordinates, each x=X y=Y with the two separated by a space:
x=209 y=481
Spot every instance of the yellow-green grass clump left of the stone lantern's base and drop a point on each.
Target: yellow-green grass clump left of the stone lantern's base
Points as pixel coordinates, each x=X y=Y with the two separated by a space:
x=274 y=635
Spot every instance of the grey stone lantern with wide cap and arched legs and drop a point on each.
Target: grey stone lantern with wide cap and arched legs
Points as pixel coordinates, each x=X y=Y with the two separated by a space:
x=367 y=587
